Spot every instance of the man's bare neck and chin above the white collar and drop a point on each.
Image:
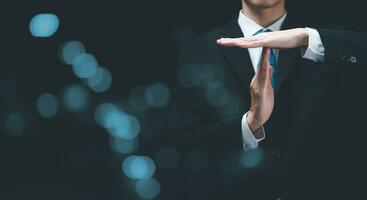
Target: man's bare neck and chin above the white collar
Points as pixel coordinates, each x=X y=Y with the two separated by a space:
x=263 y=16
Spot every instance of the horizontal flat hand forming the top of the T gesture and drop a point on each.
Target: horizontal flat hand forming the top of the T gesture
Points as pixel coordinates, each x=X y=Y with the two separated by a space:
x=286 y=39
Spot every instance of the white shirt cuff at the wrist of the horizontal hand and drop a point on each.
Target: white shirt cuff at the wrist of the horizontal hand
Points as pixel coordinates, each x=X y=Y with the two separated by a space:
x=315 y=50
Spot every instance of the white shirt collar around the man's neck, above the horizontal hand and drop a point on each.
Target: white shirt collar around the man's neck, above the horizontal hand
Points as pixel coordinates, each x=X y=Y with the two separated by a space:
x=250 y=27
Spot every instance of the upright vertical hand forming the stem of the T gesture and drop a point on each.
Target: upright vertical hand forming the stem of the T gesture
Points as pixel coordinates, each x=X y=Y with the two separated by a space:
x=262 y=94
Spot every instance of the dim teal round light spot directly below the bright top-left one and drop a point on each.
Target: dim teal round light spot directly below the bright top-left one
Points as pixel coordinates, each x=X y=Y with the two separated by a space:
x=47 y=105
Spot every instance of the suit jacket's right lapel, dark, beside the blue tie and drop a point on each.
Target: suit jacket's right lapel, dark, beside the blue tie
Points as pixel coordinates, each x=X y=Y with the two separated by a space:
x=286 y=57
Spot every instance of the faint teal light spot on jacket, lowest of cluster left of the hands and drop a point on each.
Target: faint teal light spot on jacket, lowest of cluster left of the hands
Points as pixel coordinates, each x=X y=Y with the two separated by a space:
x=217 y=96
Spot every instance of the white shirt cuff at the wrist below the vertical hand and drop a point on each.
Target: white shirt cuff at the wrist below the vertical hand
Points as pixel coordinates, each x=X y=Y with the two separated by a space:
x=251 y=140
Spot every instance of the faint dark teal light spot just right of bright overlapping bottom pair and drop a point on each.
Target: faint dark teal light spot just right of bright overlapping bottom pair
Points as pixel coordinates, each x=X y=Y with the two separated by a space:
x=167 y=157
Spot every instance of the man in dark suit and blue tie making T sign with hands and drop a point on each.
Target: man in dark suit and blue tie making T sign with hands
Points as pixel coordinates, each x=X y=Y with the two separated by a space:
x=286 y=101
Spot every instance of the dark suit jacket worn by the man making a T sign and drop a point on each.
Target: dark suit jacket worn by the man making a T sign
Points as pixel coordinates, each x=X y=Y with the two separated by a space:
x=304 y=153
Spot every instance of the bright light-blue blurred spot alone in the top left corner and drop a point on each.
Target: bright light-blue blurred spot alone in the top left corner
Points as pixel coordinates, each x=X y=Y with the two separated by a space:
x=44 y=25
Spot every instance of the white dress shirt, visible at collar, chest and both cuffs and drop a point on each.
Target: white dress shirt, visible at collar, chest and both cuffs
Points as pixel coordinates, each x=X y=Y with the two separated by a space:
x=314 y=51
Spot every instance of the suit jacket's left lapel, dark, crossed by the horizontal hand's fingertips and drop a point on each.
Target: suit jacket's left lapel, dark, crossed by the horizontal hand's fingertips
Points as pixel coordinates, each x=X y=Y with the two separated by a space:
x=238 y=58
